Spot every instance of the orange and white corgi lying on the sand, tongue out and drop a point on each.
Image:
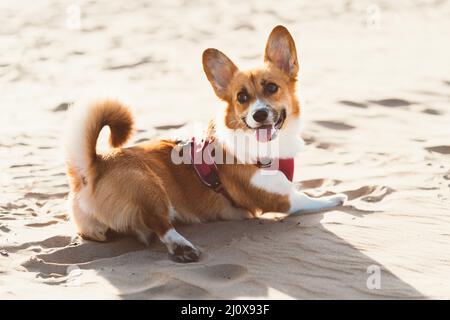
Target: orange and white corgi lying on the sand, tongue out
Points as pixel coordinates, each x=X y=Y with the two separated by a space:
x=141 y=190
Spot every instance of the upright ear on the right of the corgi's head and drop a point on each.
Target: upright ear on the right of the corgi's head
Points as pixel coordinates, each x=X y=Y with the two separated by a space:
x=281 y=52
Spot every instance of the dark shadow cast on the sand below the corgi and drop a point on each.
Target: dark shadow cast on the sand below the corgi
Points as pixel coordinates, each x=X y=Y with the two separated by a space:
x=295 y=256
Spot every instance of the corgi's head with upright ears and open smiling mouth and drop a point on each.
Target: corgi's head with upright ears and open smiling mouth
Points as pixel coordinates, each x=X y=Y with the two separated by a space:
x=260 y=101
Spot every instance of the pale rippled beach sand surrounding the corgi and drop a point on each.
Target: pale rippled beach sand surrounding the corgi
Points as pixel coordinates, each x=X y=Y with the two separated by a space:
x=375 y=82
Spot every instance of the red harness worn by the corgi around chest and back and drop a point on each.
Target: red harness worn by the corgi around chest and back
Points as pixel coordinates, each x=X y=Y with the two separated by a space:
x=207 y=171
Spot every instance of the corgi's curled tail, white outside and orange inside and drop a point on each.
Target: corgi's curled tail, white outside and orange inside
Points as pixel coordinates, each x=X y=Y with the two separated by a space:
x=85 y=126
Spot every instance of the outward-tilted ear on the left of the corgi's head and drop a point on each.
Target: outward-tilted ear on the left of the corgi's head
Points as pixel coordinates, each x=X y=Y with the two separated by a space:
x=219 y=69
